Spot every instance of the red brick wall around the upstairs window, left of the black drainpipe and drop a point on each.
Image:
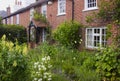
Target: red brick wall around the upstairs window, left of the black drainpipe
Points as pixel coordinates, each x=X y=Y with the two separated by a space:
x=52 y=14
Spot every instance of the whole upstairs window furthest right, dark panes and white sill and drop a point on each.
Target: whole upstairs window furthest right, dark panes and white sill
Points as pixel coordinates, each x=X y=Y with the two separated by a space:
x=90 y=4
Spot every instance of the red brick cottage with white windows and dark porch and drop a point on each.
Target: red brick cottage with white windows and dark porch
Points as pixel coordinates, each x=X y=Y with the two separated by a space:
x=58 y=11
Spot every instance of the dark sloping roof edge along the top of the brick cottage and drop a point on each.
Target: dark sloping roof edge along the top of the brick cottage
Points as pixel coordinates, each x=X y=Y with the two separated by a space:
x=27 y=8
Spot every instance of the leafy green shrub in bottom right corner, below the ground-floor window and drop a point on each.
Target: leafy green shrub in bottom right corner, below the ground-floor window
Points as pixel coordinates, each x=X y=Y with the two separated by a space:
x=108 y=63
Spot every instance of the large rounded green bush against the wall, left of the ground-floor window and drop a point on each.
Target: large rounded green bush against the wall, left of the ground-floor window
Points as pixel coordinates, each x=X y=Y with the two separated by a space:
x=68 y=34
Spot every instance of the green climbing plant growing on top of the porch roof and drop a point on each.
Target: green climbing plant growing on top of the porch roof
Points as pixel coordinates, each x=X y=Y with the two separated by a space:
x=40 y=17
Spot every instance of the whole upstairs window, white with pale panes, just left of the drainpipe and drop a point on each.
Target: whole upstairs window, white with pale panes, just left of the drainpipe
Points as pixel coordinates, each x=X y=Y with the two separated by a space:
x=61 y=7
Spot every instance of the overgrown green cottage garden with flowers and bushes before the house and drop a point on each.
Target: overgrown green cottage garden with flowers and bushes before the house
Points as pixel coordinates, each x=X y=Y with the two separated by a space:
x=57 y=61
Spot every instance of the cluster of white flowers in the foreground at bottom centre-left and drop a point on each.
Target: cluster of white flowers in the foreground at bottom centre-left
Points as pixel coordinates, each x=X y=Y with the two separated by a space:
x=42 y=70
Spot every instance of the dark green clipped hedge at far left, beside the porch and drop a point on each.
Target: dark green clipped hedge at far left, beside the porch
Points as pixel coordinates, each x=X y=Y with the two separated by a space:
x=13 y=33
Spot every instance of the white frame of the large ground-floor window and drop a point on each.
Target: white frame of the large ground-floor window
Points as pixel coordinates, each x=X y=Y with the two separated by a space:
x=93 y=35
